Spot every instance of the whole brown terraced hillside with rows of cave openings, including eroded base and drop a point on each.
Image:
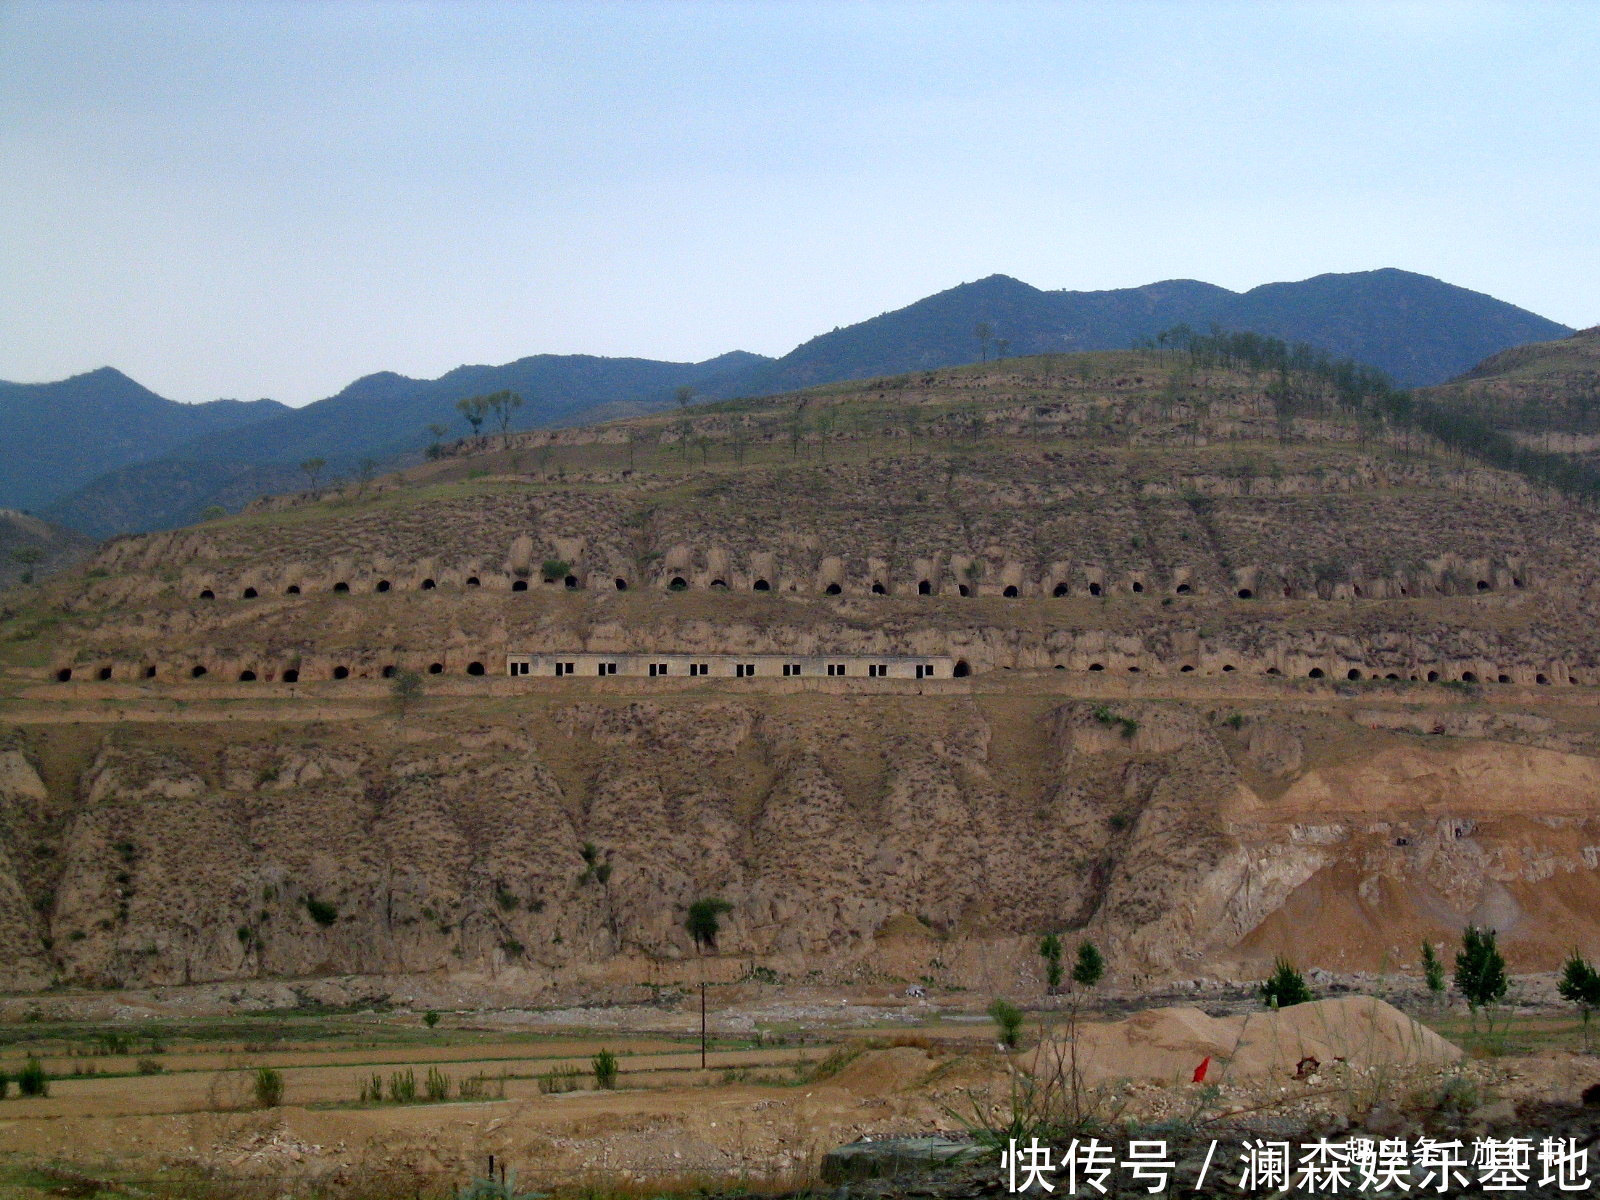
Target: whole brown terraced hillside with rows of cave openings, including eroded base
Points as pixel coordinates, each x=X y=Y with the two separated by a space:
x=1239 y=670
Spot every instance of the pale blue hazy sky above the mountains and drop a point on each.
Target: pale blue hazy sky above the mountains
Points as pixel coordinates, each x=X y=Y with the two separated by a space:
x=274 y=199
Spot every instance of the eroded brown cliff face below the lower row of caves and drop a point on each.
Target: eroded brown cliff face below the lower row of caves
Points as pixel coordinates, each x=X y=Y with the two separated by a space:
x=556 y=838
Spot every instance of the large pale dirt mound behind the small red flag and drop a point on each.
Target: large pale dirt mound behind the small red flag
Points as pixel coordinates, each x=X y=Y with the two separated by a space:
x=1169 y=1044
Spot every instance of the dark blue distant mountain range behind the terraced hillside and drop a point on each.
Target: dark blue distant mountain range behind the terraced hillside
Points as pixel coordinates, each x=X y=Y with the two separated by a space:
x=103 y=455
